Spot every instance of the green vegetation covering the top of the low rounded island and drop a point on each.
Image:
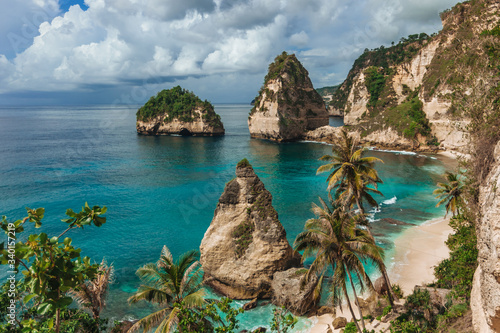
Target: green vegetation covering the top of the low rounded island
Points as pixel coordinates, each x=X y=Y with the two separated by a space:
x=177 y=103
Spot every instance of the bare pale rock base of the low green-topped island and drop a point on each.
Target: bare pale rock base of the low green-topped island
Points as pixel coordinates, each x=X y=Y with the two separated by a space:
x=198 y=126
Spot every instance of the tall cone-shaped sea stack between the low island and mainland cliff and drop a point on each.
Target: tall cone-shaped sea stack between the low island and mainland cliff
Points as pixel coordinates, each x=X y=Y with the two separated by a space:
x=287 y=105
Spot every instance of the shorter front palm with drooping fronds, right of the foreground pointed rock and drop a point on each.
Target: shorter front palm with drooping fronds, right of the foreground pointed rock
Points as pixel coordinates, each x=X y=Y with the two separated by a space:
x=336 y=241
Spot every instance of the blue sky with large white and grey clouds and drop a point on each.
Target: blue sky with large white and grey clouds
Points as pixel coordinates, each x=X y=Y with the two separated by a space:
x=124 y=51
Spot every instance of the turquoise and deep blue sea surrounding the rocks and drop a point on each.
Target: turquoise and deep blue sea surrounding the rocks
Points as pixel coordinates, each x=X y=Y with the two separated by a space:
x=163 y=190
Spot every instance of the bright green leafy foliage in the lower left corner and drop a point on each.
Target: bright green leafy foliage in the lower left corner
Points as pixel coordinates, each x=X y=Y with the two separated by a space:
x=51 y=268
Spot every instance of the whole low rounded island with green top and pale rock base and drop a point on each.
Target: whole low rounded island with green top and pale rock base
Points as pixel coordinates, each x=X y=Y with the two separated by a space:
x=178 y=111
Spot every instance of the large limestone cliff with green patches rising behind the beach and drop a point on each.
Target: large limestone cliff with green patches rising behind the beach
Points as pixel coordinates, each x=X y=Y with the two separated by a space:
x=423 y=87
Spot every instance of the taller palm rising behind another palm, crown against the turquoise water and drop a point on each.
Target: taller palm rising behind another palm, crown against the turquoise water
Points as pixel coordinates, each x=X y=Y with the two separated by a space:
x=352 y=175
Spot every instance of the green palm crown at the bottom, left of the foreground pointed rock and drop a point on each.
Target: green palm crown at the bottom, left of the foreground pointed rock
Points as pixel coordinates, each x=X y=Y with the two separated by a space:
x=171 y=285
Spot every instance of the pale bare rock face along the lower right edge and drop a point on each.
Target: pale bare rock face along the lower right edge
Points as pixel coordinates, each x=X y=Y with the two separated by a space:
x=485 y=296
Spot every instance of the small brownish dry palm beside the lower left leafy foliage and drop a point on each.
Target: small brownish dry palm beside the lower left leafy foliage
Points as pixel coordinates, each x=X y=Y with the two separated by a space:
x=92 y=294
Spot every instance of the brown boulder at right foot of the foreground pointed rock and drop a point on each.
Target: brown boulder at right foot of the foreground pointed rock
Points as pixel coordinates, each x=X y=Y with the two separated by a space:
x=289 y=290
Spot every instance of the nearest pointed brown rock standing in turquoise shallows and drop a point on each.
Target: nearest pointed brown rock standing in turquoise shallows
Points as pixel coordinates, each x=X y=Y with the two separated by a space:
x=245 y=244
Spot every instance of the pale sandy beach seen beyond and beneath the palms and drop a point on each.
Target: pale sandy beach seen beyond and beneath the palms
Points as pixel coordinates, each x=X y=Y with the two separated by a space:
x=417 y=251
